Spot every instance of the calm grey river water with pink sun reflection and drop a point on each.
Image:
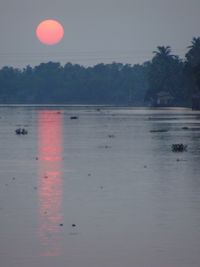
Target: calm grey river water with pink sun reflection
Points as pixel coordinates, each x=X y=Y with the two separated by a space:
x=112 y=174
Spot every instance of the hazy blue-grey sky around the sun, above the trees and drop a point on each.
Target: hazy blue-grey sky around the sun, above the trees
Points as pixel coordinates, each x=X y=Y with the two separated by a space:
x=96 y=30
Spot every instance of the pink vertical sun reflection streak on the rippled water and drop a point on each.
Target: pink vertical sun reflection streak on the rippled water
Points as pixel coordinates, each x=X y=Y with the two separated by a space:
x=50 y=181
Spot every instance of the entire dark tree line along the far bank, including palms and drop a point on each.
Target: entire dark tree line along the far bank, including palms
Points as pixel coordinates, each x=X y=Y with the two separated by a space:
x=114 y=84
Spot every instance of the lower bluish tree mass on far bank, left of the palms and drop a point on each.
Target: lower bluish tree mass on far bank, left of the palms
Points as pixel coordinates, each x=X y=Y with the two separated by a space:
x=52 y=83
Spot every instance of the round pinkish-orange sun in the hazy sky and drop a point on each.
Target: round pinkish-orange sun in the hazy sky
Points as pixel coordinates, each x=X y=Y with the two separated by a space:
x=50 y=32
